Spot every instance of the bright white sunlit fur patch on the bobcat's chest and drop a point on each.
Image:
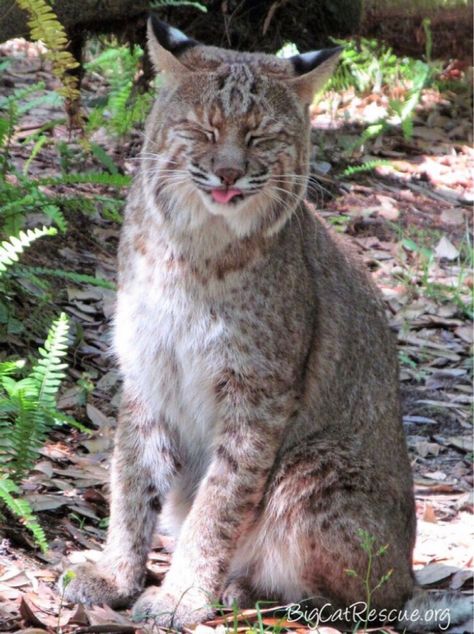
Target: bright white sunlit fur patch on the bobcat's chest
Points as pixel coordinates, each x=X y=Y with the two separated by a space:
x=170 y=347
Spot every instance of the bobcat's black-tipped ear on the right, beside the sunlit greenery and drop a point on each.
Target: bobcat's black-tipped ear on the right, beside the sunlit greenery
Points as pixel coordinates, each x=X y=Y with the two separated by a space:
x=313 y=70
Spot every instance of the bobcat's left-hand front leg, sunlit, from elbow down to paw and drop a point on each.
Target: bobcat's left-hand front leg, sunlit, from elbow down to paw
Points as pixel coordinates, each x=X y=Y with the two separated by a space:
x=144 y=461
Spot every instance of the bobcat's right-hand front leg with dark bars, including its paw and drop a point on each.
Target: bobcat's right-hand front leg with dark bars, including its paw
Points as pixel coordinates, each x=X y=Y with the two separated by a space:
x=225 y=505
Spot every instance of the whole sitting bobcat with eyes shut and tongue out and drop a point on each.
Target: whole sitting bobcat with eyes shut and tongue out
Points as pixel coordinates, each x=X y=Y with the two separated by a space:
x=260 y=412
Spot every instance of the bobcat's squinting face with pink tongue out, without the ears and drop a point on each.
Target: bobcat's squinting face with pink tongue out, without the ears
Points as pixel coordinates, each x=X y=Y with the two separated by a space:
x=235 y=141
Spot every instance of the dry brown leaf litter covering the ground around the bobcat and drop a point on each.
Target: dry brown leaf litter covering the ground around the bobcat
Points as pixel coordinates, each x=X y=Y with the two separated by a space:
x=409 y=219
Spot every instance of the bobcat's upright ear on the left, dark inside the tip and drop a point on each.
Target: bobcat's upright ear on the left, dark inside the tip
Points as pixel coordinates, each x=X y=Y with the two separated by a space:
x=165 y=45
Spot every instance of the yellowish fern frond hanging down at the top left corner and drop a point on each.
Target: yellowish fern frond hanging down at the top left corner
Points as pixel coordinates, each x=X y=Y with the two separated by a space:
x=45 y=26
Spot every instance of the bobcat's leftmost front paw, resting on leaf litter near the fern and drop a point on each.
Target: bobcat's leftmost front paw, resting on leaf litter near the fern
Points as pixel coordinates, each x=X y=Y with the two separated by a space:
x=88 y=584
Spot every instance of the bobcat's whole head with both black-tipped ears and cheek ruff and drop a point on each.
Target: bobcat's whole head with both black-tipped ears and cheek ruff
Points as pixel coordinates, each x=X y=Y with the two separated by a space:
x=229 y=133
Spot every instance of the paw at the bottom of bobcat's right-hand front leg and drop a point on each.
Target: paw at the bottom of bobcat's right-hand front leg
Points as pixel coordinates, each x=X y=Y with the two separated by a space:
x=165 y=610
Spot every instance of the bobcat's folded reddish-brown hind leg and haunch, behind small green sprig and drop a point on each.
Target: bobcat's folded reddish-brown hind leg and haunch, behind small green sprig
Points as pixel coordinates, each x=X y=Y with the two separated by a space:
x=308 y=534
